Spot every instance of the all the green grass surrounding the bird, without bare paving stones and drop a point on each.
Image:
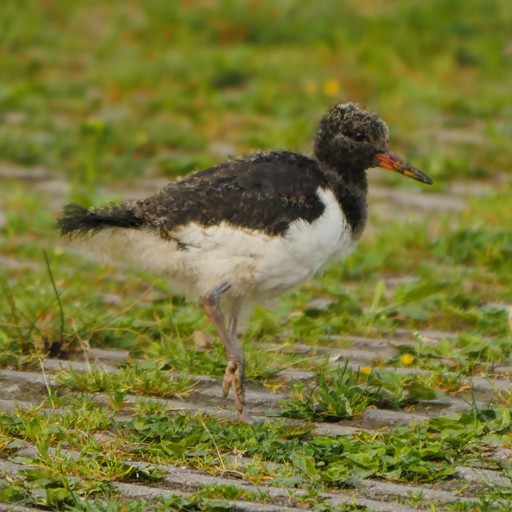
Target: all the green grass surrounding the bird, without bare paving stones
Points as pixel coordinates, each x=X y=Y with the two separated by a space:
x=102 y=98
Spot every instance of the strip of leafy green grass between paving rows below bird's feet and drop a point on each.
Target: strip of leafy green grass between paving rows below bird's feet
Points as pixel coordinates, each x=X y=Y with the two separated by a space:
x=425 y=452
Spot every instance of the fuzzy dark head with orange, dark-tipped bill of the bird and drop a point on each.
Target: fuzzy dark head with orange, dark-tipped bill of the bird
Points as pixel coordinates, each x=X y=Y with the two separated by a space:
x=352 y=139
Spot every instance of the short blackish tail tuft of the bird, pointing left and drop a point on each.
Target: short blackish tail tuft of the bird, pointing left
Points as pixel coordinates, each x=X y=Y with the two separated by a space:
x=78 y=221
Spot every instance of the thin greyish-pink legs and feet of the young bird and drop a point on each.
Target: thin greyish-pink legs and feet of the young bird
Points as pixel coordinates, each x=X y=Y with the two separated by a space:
x=235 y=369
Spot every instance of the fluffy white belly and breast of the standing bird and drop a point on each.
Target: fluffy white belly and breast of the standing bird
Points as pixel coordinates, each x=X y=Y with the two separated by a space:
x=256 y=265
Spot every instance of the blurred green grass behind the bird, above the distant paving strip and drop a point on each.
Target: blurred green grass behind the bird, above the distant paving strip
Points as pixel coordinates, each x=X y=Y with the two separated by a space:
x=111 y=90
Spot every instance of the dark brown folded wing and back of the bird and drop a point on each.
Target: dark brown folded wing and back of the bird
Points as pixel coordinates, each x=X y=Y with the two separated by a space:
x=265 y=192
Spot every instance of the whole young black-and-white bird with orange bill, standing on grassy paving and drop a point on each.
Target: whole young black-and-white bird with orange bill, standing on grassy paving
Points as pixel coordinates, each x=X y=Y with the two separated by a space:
x=247 y=230
